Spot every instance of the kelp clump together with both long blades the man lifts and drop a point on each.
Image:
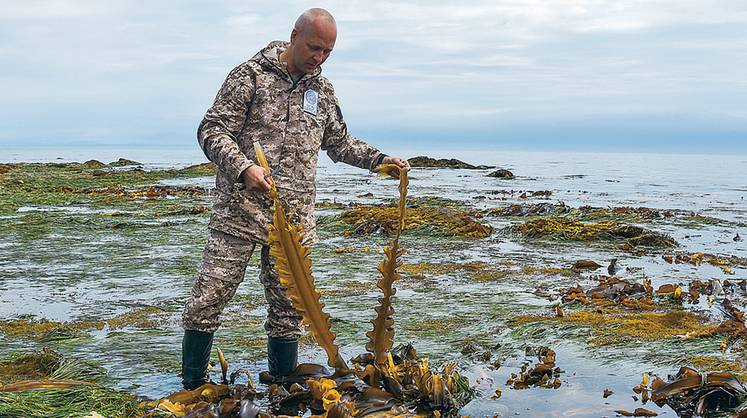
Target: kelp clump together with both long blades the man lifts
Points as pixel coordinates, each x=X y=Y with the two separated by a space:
x=392 y=383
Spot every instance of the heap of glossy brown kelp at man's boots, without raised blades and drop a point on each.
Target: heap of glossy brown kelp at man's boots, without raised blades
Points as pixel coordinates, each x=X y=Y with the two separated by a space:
x=408 y=386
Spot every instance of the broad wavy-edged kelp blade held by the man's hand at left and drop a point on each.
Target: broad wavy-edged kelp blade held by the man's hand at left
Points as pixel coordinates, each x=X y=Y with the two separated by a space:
x=293 y=265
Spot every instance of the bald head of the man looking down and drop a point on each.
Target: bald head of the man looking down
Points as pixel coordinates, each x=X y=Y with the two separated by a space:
x=312 y=40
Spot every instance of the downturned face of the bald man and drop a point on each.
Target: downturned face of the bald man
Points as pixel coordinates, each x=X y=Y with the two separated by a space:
x=311 y=47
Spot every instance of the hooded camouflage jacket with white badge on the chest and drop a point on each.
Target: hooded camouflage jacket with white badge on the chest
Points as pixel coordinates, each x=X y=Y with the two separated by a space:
x=259 y=102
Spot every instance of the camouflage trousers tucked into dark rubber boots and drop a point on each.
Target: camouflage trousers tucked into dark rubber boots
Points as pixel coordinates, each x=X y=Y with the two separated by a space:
x=223 y=266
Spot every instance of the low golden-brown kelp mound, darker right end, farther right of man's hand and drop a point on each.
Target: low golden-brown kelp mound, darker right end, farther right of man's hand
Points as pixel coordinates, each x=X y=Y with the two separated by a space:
x=566 y=229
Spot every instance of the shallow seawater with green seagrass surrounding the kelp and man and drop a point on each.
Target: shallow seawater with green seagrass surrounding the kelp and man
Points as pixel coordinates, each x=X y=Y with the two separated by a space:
x=69 y=264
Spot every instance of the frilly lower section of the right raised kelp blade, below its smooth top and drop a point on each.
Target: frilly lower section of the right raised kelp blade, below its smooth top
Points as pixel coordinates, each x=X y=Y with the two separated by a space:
x=381 y=338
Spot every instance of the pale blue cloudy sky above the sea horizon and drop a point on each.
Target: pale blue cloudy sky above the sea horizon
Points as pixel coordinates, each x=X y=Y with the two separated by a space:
x=648 y=75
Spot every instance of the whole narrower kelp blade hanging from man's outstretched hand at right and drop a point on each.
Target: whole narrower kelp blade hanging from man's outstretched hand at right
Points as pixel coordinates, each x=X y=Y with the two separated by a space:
x=381 y=338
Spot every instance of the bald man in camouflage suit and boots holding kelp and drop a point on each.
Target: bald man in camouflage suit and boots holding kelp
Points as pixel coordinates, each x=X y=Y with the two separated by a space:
x=279 y=99
